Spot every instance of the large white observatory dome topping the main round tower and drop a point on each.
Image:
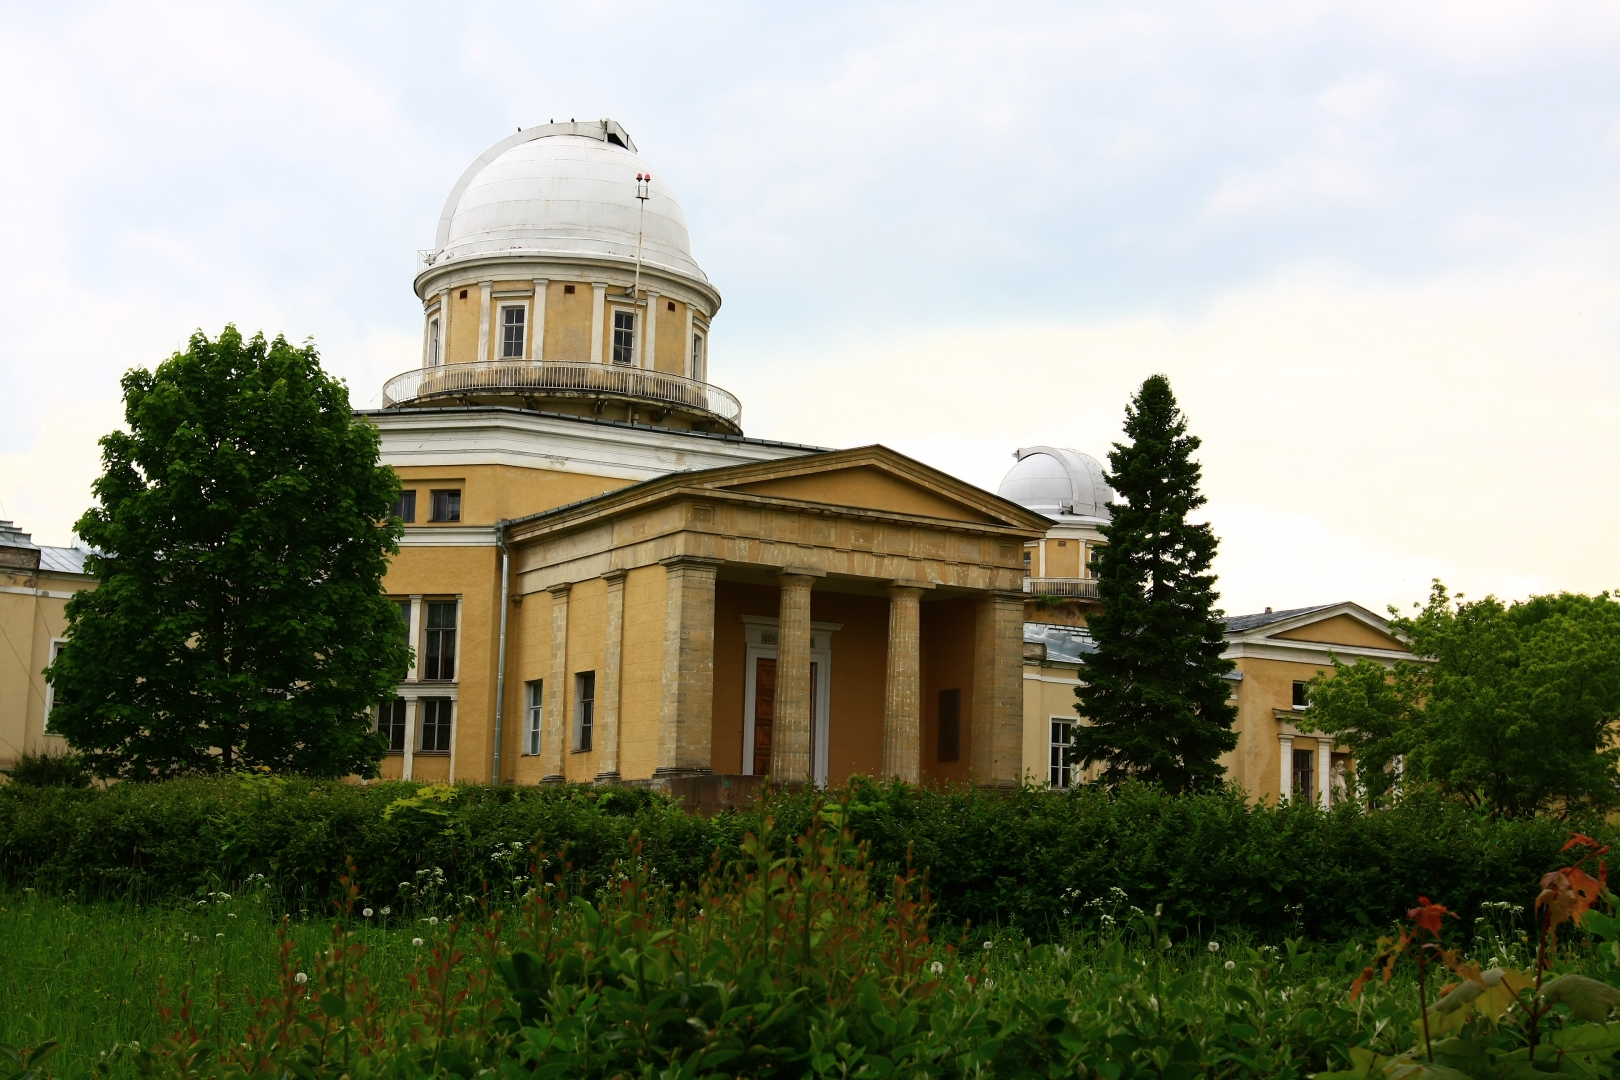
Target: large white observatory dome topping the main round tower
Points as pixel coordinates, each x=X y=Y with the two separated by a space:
x=568 y=190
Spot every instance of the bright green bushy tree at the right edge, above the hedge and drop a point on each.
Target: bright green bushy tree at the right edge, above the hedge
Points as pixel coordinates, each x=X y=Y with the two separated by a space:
x=1511 y=708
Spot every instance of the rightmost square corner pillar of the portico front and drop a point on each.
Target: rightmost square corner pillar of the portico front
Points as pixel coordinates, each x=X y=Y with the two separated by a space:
x=999 y=691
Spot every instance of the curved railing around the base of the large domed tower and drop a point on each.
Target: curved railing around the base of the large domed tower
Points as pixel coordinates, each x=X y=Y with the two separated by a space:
x=558 y=376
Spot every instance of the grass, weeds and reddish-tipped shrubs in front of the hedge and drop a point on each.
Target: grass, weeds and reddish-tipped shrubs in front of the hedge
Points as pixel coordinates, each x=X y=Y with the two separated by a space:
x=787 y=966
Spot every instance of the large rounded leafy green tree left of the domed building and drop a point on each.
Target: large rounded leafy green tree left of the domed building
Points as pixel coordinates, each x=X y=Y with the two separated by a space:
x=241 y=542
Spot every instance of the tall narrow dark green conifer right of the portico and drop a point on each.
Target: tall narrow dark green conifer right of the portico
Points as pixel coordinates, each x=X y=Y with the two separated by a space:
x=1156 y=691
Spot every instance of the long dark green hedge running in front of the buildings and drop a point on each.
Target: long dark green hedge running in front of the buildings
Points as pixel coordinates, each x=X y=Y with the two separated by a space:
x=1015 y=859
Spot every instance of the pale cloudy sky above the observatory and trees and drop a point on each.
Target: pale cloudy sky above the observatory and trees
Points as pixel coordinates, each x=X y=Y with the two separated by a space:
x=1376 y=247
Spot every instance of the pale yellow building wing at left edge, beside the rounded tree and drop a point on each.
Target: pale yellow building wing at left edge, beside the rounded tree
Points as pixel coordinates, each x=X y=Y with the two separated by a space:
x=36 y=584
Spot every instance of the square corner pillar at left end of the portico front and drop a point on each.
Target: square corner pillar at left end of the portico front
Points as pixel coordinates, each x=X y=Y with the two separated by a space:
x=686 y=720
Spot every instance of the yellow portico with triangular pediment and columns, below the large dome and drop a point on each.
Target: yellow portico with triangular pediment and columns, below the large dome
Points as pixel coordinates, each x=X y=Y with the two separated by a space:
x=832 y=614
